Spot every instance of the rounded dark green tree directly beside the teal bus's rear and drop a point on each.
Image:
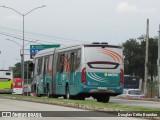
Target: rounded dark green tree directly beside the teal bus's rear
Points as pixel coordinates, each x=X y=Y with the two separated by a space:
x=133 y=62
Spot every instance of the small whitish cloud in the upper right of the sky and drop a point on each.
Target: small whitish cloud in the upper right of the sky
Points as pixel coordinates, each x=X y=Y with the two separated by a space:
x=125 y=7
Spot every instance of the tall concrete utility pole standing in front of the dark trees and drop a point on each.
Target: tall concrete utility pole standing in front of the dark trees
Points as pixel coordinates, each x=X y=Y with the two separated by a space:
x=146 y=60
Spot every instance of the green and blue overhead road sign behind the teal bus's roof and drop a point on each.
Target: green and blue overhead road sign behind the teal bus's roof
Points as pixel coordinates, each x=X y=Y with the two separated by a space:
x=34 y=49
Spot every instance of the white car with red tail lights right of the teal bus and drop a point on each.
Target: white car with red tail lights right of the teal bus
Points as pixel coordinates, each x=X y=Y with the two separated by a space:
x=132 y=94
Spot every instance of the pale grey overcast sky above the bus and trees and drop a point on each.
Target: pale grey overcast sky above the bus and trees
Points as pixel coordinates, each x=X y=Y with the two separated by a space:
x=72 y=22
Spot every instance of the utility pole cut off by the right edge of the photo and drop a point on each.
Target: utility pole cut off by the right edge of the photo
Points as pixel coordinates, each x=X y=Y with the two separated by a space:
x=158 y=63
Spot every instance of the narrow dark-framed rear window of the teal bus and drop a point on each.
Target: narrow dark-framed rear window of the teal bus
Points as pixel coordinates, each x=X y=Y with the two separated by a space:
x=103 y=65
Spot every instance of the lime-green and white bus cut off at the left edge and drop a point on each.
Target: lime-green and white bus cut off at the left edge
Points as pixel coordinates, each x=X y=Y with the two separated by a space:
x=6 y=81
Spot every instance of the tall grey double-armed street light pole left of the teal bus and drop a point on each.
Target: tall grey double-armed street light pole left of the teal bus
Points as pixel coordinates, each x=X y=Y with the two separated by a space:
x=23 y=15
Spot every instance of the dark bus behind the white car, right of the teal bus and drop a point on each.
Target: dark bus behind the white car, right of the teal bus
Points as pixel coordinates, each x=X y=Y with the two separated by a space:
x=131 y=82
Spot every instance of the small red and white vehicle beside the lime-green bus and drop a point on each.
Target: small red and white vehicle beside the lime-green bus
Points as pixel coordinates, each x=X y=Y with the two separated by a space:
x=17 y=86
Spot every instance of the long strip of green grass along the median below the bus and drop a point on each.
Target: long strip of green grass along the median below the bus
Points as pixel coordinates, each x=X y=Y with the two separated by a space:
x=113 y=106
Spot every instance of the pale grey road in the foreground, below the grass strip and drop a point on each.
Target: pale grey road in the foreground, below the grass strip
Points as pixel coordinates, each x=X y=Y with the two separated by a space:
x=14 y=105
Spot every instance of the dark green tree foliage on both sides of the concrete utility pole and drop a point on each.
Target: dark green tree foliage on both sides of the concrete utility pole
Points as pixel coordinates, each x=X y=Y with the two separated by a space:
x=134 y=52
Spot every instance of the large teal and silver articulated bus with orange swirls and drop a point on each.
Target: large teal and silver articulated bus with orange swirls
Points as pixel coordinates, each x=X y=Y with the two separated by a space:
x=79 y=71
